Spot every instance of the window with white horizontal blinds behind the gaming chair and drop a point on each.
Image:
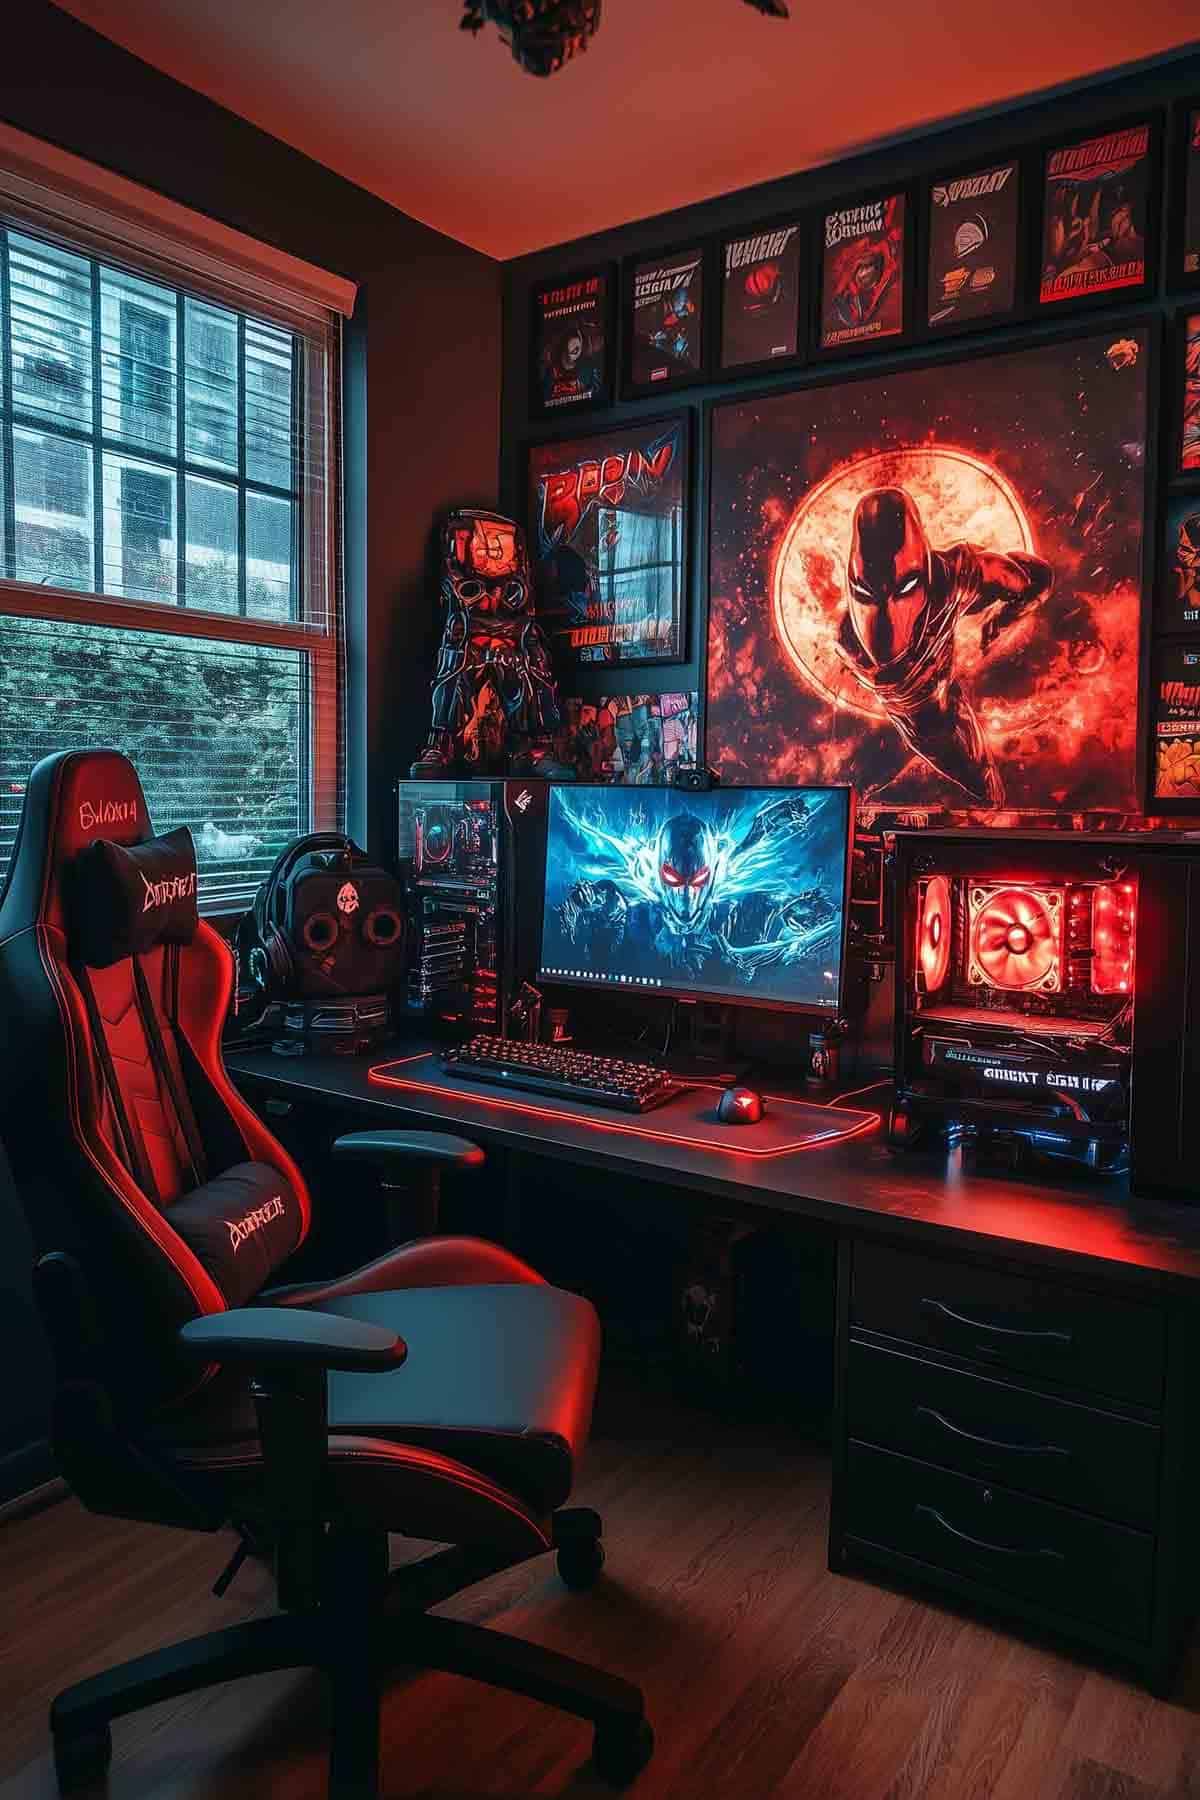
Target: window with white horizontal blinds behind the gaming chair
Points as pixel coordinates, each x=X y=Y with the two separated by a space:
x=168 y=550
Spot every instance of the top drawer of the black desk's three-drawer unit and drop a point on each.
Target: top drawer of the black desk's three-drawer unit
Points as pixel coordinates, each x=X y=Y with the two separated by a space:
x=1061 y=1335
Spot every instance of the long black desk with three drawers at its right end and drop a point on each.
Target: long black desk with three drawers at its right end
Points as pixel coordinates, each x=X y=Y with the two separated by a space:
x=1017 y=1371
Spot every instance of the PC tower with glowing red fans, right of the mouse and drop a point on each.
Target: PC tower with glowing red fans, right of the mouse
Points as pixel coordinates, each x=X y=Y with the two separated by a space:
x=1048 y=998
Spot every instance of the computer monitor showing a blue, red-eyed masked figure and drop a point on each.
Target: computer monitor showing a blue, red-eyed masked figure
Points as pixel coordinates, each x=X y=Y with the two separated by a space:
x=733 y=895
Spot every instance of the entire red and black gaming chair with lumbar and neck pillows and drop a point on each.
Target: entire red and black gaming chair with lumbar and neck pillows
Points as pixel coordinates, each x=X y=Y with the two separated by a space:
x=445 y=1390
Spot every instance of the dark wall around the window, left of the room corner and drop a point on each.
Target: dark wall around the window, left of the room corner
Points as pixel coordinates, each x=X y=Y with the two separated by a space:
x=422 y=422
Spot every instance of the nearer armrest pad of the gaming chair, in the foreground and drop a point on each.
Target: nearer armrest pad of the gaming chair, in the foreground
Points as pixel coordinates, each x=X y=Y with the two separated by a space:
x=296 y=1338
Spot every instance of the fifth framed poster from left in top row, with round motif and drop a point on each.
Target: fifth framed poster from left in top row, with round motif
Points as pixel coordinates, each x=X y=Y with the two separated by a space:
x=972 y=246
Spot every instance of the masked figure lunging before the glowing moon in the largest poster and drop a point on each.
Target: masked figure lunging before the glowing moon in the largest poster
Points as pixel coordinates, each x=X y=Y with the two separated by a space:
x=899 y=631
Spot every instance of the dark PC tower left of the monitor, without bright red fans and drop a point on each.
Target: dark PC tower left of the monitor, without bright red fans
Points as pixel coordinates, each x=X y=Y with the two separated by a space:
x=472 y=856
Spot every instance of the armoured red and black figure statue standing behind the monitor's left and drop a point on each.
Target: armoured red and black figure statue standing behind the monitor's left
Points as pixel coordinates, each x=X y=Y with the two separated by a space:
x=494 y=656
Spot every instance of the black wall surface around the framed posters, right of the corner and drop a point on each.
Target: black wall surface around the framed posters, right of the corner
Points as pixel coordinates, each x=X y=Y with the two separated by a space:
x=942 y=148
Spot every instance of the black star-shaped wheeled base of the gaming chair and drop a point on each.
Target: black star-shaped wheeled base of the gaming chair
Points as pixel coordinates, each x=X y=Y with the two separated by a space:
x=368 y=1624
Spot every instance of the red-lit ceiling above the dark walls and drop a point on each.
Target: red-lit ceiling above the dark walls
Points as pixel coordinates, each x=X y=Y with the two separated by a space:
x=676 y=100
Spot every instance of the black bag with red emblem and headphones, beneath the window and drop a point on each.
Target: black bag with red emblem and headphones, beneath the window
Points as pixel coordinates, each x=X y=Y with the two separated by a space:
x=327 y=940
